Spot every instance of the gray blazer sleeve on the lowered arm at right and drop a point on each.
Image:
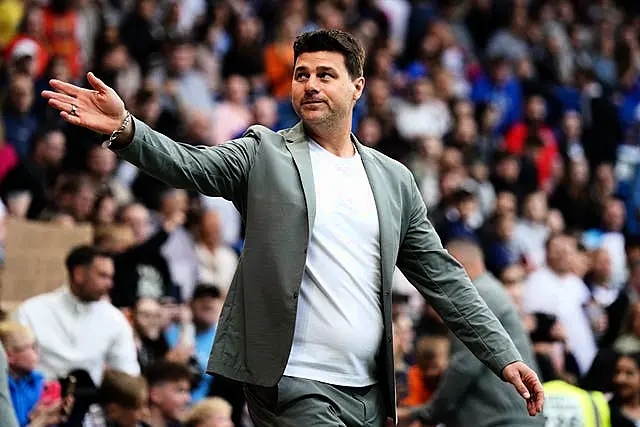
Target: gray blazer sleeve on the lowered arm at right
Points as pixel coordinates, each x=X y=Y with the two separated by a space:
x=447 y=288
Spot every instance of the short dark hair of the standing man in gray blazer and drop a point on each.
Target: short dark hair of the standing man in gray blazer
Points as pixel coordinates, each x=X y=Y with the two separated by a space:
x=331 y=40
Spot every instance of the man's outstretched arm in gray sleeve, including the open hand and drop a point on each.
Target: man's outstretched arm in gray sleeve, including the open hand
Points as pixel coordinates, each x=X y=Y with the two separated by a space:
x=214 y=171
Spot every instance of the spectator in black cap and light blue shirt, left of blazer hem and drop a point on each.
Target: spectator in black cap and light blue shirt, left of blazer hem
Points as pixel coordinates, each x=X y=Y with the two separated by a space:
x=206 y=304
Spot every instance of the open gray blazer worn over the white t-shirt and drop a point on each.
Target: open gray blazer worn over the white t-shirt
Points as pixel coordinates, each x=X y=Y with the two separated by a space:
x=268 y=177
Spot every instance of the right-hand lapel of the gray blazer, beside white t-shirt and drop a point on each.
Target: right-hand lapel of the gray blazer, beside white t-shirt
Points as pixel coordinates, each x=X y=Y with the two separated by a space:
x=377 y=182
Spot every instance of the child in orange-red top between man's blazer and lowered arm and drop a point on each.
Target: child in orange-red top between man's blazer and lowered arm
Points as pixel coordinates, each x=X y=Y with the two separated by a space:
x=432 y=360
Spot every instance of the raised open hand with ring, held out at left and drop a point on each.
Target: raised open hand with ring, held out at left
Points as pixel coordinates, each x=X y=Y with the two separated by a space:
x=100 y=110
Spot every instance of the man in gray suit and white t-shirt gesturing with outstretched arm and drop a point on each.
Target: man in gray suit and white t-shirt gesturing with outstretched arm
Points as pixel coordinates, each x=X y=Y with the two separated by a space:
x=306 y=325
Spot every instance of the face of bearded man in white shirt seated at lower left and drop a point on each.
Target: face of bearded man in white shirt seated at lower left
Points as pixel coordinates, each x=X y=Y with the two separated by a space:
x=94 y=281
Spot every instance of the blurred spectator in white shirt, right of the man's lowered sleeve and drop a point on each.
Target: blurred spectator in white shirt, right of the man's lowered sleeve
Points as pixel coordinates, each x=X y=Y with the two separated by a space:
x=553 y=289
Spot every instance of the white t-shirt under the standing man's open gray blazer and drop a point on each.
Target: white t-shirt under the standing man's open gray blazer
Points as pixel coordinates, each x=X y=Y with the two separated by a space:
x=339 y=322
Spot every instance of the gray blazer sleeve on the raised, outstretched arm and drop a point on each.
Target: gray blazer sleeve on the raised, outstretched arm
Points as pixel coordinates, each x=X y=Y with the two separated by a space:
x=220 y=171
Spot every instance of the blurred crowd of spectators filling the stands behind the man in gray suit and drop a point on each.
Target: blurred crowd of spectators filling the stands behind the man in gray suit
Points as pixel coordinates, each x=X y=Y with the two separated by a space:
x=520 y=120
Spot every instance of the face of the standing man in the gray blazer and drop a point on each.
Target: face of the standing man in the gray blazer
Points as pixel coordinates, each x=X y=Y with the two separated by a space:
x=322 y=90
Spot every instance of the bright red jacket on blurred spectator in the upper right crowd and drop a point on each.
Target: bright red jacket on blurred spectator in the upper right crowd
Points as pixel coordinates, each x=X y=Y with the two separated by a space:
x=514 y=143
